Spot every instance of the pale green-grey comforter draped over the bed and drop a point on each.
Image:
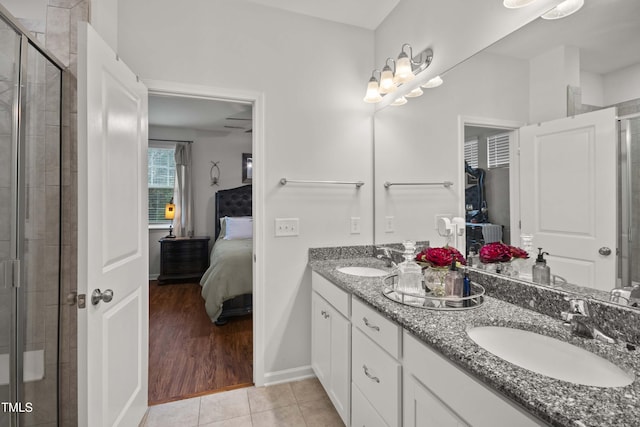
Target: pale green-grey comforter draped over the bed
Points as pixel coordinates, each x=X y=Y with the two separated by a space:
x=230 y=273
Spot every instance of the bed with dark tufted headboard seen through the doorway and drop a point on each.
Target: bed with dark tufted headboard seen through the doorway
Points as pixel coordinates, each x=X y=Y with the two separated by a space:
x=227 y=284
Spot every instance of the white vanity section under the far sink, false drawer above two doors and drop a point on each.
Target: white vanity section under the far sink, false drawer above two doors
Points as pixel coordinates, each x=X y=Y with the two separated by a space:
x=331 y=342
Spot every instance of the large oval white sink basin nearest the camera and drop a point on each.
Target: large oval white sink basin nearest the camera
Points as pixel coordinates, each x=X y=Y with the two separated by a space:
x=549 y=356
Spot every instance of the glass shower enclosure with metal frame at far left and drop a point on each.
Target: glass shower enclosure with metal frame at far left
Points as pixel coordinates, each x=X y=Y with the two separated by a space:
x=30 y=134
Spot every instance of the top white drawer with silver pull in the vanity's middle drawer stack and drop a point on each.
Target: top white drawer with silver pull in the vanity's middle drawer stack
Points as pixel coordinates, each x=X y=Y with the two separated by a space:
x=381 y=330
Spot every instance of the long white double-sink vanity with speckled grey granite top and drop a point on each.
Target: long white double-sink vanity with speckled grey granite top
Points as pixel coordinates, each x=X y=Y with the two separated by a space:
x=387 y=364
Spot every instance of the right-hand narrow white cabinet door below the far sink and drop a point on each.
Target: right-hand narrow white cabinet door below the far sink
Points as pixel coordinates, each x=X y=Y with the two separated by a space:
x=340 y=363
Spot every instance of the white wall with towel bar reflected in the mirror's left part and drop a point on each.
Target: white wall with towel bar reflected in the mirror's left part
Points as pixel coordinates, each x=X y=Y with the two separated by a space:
x=419 y=142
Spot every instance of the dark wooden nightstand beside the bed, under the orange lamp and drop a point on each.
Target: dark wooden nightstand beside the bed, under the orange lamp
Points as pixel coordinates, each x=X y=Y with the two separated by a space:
x=183 y=259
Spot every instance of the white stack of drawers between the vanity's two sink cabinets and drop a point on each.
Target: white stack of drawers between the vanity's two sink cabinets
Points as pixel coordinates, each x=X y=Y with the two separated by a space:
x=376 y=371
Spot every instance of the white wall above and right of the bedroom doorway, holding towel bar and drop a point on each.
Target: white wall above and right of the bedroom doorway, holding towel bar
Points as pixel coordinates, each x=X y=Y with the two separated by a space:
x=313 y=75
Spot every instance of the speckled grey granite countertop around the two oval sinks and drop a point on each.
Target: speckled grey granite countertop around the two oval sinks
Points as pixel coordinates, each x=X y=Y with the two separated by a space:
x=557 y=402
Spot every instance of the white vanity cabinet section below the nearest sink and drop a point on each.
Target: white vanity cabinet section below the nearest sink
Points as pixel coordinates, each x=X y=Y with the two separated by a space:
x=438 y=393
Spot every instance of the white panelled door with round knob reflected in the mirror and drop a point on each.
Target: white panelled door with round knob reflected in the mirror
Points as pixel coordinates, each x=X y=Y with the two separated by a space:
x=568 y=171
